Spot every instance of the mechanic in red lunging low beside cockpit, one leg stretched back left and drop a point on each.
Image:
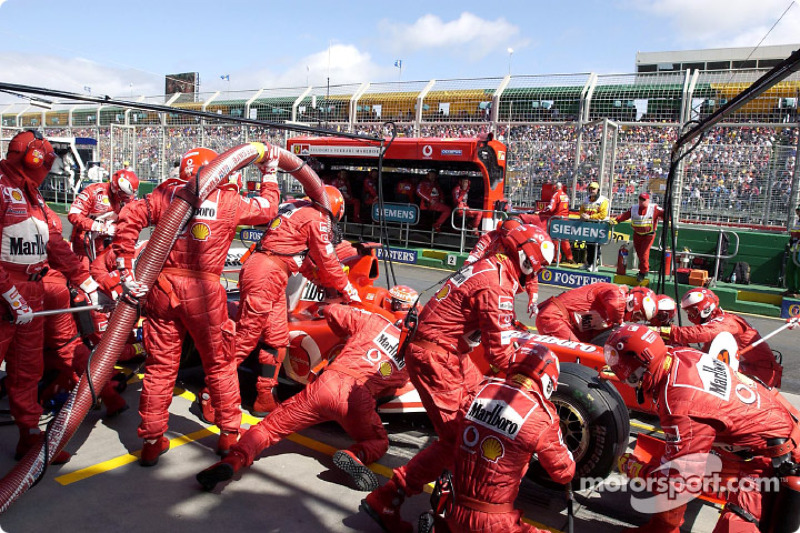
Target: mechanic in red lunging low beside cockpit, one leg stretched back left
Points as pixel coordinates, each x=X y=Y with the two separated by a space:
x=369 y=366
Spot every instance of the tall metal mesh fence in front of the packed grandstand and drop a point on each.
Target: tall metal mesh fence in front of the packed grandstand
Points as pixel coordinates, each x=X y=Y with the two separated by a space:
x=616 y=129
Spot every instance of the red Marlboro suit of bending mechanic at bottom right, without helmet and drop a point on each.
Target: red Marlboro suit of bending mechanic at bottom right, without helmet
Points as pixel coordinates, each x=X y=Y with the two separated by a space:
x=701 y=404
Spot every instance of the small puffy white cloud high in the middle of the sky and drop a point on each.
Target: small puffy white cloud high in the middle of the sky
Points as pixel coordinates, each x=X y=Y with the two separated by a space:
x=467 y=35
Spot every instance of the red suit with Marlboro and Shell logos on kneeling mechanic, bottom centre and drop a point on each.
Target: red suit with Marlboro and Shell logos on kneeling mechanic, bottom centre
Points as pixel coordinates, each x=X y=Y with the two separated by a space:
x=494 y=453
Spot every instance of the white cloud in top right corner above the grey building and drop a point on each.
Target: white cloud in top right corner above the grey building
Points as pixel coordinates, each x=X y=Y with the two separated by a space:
x=724 y=23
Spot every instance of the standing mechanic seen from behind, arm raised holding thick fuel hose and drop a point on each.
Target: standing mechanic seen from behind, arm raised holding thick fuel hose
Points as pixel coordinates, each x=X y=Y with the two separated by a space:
x=188 y=297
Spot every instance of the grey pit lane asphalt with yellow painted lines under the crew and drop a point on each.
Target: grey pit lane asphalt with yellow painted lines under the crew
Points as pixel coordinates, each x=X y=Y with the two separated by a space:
x=292 y=487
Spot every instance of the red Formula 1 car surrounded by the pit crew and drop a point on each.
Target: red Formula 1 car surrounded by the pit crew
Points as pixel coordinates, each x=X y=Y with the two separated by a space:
x=594 y=417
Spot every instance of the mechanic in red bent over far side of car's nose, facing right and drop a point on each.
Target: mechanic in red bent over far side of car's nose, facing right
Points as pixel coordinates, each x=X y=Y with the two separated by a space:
x=584 y=313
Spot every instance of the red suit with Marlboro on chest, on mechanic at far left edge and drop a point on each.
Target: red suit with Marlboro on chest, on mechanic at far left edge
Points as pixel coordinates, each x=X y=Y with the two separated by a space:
x=28 y=245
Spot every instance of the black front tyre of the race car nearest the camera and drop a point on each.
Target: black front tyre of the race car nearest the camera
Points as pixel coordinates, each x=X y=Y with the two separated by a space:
x=594 y=423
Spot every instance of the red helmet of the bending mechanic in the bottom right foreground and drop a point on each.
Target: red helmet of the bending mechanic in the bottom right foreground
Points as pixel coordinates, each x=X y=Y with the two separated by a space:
x=633 y=349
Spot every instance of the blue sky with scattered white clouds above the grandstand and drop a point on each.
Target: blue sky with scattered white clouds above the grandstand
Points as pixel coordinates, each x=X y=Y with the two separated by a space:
x=126 y=48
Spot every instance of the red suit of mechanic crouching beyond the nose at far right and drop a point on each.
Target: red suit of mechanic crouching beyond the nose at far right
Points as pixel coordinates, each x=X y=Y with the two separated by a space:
x=758 y=362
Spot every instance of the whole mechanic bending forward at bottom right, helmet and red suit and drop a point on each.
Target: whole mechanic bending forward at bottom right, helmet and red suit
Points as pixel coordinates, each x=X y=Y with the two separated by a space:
x=703 y=404
